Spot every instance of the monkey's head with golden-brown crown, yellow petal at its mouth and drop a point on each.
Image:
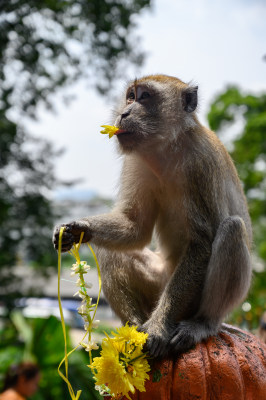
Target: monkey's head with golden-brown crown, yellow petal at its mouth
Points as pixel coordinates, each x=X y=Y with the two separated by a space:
x=153 y=111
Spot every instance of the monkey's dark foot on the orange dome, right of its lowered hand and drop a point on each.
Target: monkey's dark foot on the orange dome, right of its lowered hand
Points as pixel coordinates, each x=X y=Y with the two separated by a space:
x=189 y=333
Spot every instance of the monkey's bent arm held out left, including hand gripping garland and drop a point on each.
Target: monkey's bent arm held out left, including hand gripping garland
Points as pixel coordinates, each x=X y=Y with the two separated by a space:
x=129 y=226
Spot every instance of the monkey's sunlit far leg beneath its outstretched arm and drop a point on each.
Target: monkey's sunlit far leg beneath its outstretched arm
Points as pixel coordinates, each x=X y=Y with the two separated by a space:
x=132 y=282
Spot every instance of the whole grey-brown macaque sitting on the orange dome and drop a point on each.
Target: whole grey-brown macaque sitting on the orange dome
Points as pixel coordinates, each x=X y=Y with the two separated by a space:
x=179 y=181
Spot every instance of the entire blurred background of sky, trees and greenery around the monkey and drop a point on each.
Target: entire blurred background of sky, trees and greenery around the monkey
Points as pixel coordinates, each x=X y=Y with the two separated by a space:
x=63 y=63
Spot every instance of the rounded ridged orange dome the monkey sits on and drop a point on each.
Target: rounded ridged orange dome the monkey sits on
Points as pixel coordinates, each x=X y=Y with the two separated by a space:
x=228 y=366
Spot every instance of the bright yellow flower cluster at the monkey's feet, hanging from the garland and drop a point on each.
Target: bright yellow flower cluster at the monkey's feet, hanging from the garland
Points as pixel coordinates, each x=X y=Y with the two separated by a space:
x=122 y=367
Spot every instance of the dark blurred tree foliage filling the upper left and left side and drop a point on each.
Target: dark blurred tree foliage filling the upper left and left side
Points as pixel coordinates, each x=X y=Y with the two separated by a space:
x=46 y=45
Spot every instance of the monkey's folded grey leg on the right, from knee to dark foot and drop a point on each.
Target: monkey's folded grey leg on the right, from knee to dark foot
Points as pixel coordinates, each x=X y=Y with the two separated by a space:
x=226 y=284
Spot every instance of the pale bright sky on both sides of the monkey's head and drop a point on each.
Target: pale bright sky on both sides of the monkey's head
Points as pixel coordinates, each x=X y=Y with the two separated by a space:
x=212 y=43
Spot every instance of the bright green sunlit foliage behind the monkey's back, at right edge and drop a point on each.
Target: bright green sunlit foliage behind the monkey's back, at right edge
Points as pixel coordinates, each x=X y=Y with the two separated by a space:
x=248 y=150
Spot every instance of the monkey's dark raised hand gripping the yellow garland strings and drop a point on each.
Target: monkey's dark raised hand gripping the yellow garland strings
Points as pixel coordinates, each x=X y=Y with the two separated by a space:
x=71 y=234
